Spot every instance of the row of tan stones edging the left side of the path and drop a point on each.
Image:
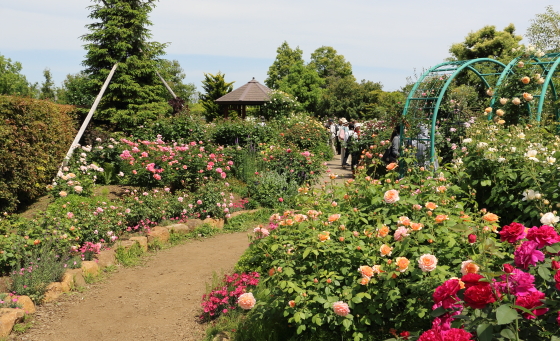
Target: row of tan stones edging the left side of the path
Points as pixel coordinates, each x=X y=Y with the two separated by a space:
x=75 y=278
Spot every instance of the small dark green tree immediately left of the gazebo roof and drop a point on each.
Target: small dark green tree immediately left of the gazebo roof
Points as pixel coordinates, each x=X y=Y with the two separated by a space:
x=215 y=87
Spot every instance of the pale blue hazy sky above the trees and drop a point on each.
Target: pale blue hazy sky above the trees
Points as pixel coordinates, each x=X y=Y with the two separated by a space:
x=385 y=41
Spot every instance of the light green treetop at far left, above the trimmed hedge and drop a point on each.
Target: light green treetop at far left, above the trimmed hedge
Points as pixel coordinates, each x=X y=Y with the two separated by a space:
x=12 y=82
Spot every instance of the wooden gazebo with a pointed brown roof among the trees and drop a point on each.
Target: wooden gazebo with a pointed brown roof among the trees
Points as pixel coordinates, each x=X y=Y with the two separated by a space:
x=252 y=93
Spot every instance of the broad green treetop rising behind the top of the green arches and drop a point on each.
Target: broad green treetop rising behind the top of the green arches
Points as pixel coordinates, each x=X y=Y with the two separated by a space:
x=487 y=43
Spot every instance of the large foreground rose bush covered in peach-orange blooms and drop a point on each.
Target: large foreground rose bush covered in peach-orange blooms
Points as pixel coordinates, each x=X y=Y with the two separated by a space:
x=359 y=246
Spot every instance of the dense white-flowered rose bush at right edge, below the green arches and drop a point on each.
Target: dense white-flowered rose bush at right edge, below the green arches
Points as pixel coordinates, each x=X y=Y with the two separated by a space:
x=512 y=170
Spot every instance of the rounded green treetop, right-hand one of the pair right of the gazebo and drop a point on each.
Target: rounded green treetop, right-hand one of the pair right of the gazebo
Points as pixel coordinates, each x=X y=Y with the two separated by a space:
x=328 y=63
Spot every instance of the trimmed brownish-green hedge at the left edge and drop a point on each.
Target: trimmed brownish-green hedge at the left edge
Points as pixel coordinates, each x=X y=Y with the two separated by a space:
x=34 y=138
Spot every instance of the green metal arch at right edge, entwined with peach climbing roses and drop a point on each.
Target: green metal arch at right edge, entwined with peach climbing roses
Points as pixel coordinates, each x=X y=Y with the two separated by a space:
x=549 y=67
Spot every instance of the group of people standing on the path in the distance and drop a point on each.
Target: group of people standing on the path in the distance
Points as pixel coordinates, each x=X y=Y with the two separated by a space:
x=343 y=135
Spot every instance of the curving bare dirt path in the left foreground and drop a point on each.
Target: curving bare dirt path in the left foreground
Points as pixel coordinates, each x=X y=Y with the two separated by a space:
x=156 y=301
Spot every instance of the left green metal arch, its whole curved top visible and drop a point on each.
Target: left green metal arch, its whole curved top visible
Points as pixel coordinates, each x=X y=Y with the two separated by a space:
x=457 y=67
